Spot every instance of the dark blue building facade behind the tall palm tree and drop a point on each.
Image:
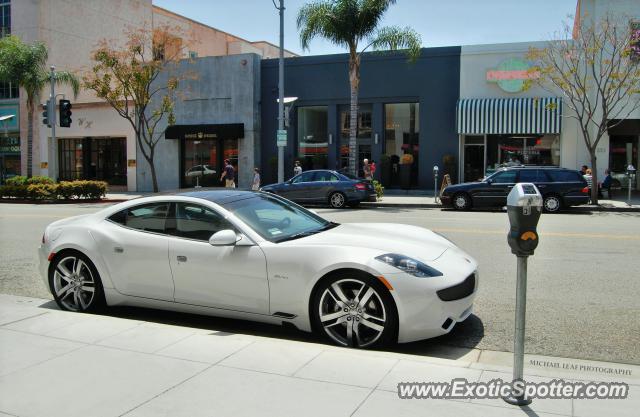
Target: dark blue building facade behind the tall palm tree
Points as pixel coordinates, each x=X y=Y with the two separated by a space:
x=406 y=121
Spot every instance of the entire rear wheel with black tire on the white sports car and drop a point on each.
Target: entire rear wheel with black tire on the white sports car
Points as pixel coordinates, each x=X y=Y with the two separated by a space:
x=84 y=291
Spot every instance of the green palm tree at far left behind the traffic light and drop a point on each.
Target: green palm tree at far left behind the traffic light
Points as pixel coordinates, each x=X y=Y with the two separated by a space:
x=26 y=65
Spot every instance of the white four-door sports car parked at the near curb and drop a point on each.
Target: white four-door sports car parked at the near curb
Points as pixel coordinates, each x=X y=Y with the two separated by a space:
x=256 y=256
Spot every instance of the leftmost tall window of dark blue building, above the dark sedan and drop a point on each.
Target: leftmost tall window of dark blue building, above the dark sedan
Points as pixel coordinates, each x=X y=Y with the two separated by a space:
x=313 y=137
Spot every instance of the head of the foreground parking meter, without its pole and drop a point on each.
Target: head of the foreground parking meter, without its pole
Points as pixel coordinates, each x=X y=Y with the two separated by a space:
x=524 y=206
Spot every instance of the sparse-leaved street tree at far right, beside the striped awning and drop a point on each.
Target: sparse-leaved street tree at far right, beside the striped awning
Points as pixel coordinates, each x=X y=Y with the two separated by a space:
x=595 y=68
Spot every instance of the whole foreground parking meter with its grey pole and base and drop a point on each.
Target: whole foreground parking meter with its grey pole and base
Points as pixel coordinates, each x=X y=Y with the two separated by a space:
x=524 y=206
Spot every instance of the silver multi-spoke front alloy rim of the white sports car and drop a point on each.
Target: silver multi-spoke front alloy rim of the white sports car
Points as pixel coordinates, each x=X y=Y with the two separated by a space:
x=352 y=313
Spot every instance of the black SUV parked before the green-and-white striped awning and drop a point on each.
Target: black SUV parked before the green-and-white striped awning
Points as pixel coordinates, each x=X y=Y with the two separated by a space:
x=560 y=187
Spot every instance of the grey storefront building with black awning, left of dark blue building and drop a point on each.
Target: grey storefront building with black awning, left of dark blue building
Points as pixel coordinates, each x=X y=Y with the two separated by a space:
x=217 y=118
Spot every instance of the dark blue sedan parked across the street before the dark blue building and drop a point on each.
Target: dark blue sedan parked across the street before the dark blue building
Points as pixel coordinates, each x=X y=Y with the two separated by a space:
x=324 y=187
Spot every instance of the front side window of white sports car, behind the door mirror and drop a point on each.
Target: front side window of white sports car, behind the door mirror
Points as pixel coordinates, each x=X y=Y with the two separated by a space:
x=193 y=221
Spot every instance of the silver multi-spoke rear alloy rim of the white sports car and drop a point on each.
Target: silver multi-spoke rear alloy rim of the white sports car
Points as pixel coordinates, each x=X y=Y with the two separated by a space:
x=73 y=283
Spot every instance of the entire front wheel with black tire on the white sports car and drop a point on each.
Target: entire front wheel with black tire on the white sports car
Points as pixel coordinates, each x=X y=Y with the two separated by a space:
x=379 y=310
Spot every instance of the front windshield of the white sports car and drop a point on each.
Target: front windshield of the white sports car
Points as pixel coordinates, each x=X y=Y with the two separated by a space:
x=276 y=219
